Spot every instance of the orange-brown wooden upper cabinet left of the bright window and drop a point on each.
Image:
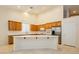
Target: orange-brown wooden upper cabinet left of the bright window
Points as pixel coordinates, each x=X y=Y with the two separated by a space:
x=14 y=26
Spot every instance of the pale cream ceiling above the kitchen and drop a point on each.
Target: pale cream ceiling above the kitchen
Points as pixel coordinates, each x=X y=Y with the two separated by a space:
x=32 y=9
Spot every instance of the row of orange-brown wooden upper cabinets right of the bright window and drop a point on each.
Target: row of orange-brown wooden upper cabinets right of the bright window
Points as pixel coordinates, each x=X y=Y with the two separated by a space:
x=46 y=26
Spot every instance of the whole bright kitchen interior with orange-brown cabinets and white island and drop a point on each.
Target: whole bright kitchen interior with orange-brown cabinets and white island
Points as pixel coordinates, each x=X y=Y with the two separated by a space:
x=29 y=28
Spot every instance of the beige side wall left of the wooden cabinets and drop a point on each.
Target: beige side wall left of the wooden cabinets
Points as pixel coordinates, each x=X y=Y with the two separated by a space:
x=3 y=27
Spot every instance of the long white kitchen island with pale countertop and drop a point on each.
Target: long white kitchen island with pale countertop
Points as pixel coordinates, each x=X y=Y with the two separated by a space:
x=35 y=42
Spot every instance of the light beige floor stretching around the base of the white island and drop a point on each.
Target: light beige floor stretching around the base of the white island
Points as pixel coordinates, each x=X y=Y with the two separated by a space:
x=8 y=49
